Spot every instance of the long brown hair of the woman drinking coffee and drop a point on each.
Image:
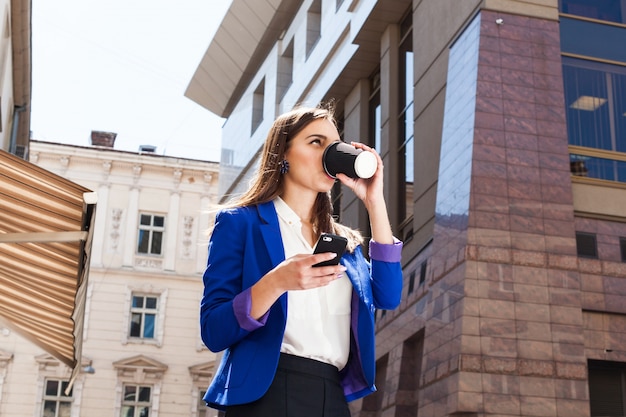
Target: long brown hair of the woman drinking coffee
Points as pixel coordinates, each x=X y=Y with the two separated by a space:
x=268 y=182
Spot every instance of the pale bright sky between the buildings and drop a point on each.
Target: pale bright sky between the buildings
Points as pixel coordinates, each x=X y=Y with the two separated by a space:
x=123 y=66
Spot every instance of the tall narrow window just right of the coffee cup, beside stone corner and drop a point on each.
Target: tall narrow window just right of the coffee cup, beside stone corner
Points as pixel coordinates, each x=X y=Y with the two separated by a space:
x=405 y=119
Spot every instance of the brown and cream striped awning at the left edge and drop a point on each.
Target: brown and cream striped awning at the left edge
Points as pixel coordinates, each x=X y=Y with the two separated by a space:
x=46 y=229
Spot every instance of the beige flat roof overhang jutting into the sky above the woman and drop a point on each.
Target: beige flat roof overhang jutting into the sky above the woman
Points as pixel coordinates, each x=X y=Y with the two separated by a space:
x=247 y=33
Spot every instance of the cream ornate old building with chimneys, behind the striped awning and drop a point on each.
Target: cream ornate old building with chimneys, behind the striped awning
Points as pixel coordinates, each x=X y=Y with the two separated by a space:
x=141 y=352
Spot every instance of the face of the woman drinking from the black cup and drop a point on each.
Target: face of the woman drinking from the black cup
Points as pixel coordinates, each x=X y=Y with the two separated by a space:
x=305 y=157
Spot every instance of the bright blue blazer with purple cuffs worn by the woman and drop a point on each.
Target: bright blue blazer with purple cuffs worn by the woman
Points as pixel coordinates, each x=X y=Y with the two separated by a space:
x=246 y=244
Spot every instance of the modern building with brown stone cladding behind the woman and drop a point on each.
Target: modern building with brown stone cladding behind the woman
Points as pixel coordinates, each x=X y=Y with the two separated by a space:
x=502 y=127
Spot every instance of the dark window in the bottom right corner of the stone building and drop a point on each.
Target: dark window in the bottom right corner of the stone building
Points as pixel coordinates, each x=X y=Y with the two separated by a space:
x=606 y=388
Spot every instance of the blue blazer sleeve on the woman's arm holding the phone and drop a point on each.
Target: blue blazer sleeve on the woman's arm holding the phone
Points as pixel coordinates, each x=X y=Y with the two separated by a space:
x=225 y=305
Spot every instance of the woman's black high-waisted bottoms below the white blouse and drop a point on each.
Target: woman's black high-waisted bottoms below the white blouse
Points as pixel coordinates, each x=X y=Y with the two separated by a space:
x=302 y=387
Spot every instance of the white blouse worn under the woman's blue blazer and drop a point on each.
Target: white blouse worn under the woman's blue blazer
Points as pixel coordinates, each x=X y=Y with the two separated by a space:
x=318 y=319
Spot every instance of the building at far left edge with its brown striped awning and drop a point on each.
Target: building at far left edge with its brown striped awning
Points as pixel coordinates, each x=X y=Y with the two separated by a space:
x=45 y=220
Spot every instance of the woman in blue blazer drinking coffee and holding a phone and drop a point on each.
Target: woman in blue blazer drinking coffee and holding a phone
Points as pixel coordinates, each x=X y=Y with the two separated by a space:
x=296 y=338
